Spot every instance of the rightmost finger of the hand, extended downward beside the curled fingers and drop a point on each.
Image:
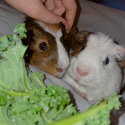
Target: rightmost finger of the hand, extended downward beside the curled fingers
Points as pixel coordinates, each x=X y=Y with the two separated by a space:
x=71 y=7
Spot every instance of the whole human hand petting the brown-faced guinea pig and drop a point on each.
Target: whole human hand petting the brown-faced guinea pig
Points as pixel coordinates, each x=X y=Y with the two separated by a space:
x=48 y=11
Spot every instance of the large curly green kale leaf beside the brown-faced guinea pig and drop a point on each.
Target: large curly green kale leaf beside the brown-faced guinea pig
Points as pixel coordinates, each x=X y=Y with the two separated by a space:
x=24 y=98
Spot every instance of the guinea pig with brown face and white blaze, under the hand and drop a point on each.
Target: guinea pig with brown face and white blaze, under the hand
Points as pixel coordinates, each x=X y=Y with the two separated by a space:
x=46 y=50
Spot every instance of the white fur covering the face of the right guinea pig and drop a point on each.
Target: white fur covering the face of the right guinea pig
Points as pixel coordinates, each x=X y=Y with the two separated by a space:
x=102 y=79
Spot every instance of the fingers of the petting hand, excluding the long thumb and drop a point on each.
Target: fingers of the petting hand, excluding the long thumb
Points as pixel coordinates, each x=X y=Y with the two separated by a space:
x=60 y=6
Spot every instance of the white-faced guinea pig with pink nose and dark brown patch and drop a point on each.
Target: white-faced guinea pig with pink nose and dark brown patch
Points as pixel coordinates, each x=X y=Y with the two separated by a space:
x=94 y=71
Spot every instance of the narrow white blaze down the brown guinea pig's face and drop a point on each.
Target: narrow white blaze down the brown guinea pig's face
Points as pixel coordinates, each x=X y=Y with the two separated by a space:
x=63 y=59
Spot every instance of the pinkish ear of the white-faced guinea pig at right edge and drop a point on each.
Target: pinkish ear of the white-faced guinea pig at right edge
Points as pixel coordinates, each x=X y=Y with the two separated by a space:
x=121 y=56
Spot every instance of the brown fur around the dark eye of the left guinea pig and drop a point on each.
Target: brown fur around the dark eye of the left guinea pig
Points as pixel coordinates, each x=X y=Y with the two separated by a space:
x=47 y=59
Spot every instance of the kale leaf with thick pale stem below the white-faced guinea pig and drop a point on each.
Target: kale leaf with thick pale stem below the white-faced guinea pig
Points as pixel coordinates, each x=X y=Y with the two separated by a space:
x=98 y=114
